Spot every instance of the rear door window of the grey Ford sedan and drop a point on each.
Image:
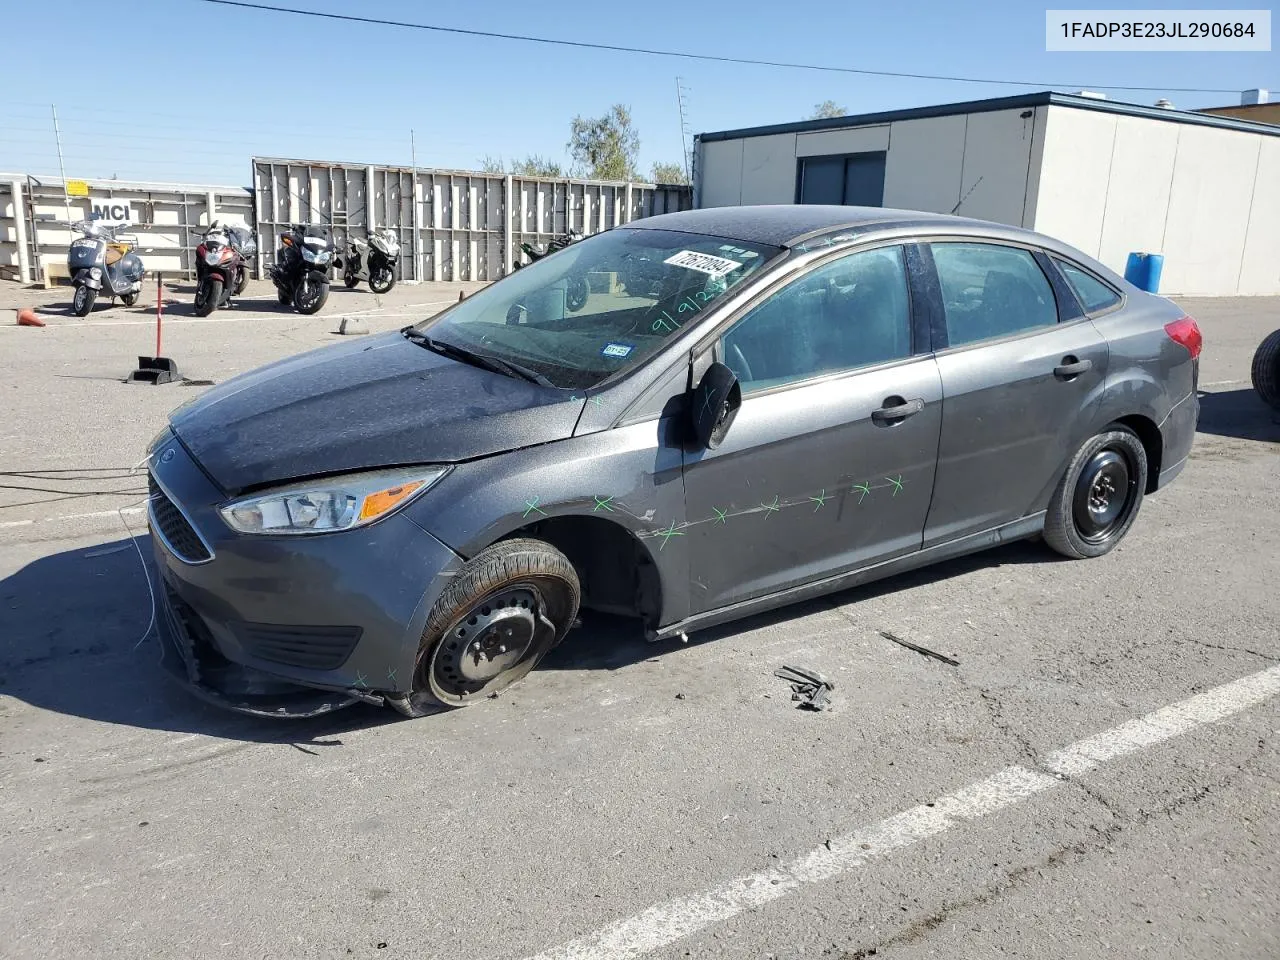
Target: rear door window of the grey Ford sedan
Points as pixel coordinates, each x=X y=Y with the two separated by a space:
x=990 y=291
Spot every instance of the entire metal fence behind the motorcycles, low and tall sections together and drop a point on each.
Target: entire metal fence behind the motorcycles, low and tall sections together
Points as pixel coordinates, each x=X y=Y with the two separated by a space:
x=452 y=225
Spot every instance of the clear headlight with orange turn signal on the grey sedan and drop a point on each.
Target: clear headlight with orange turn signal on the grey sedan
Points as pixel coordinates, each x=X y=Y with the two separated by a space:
x=326 y=506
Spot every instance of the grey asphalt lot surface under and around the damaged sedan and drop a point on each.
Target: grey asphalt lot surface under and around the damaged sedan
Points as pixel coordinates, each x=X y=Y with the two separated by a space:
x=1098 y=776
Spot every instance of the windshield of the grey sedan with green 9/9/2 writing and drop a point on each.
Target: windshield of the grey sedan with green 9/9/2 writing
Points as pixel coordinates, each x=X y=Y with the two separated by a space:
x=601 y=305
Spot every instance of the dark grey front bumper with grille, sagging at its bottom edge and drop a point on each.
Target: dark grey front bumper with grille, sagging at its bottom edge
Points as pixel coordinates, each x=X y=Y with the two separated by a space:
x=286 y=627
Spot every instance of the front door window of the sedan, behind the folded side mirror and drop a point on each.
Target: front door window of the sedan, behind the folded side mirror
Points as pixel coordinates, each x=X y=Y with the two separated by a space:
x=851 y=313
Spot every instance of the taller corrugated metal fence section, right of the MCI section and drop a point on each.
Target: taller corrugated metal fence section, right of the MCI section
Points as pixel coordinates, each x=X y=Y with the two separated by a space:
x=452 y=225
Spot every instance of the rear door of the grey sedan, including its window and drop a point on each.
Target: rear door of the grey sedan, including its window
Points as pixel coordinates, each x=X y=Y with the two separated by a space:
x=1022 y=371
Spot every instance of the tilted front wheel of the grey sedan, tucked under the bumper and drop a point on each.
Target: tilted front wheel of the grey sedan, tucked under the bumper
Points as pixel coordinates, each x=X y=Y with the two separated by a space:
x=499 y=618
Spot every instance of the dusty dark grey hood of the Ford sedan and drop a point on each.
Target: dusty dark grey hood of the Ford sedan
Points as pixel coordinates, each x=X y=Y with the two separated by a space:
x=377 y=403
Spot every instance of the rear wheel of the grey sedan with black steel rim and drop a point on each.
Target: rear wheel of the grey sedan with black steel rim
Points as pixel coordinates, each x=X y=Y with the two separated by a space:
x=1099 y=497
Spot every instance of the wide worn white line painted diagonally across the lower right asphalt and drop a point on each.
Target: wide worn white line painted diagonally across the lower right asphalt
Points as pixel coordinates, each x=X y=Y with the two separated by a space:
x=665 y=925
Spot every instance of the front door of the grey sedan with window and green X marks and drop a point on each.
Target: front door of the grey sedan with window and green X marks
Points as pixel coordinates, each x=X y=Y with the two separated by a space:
x=830 y=463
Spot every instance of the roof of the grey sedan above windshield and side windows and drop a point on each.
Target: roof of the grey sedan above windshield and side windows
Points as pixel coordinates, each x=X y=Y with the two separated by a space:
x=796 y=225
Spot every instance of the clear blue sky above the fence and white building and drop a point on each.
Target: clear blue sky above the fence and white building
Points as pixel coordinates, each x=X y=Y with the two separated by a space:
x=182 y=90
